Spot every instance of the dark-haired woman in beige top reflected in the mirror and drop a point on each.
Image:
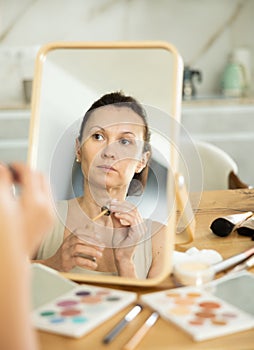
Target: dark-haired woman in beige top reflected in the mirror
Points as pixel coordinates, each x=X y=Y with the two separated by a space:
x=113 y=151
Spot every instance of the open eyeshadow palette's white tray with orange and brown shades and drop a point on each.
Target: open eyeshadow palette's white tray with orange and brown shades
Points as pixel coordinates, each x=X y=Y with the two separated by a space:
x=198 y=312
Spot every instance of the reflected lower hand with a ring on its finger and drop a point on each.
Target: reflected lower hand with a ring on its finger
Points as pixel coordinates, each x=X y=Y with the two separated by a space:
x=78 y=249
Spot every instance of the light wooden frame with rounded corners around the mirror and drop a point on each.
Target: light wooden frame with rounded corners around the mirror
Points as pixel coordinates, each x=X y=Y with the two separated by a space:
x=175 y=112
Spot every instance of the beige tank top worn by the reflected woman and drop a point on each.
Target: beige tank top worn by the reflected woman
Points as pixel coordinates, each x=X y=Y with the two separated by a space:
x=142 y=258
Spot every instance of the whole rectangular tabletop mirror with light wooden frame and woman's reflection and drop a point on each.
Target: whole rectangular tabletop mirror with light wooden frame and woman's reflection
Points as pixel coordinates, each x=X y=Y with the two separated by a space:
x=69 y=78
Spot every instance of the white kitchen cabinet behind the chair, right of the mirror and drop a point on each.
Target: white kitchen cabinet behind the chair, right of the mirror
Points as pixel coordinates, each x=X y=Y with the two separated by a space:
x=229 y=124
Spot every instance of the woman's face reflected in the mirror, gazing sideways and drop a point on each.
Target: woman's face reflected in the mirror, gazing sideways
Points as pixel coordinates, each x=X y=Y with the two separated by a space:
x=112 y=147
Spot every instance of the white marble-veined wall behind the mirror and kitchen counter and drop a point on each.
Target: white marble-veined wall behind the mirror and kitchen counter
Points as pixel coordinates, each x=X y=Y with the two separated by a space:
x=189 y=24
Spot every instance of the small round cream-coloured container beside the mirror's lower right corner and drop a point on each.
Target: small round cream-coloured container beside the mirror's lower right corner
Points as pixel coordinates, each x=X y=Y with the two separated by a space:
x=193 y=273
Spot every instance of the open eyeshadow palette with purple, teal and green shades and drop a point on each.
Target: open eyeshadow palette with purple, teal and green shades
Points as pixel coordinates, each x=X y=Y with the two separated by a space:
x=77 y=311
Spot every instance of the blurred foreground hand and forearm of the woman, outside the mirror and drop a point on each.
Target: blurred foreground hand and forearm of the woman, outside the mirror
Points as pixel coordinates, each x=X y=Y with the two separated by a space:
x=24 y=219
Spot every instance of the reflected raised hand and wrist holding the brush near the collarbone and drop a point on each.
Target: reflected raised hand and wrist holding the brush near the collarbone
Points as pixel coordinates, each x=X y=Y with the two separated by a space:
x=129 y=230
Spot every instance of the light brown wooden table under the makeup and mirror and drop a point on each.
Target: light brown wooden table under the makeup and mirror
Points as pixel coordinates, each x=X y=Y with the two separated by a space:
x=164 y=335
